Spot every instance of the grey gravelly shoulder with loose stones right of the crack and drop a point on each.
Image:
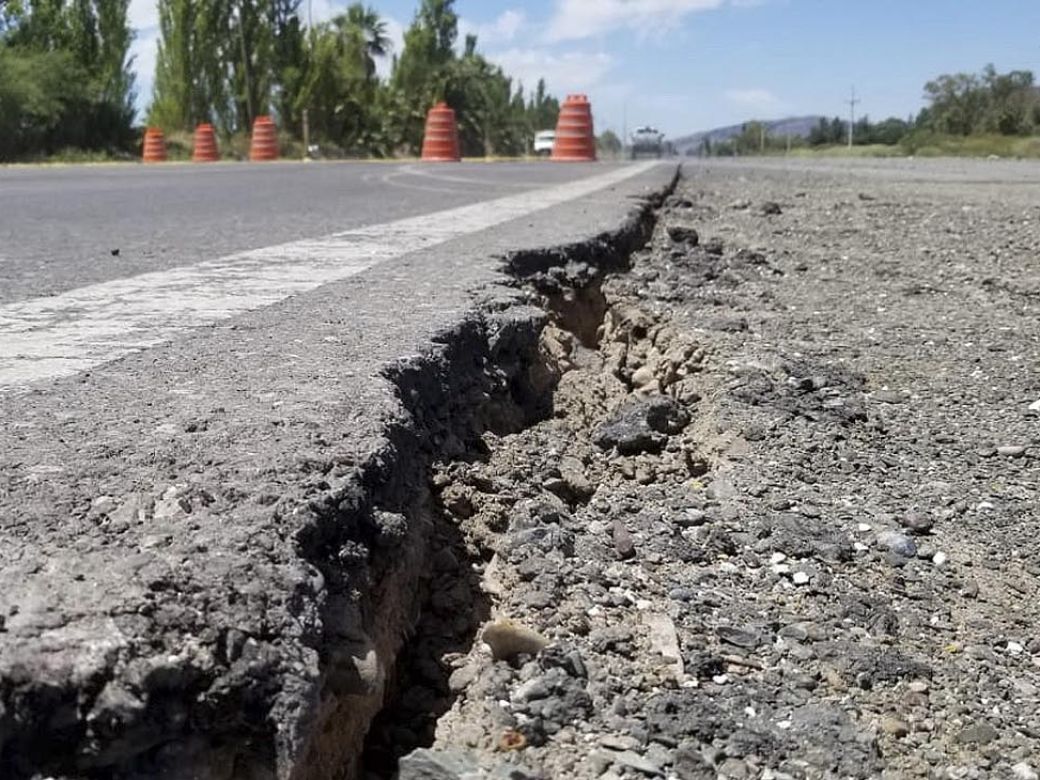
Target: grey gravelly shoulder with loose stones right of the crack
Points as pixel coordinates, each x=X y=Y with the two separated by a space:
x=782 y=522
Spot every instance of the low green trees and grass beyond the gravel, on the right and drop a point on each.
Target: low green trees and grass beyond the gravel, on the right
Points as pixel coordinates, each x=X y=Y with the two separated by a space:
x=968 y=115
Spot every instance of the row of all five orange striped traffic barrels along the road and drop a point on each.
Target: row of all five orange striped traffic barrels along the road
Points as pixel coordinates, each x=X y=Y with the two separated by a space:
x=576 y=138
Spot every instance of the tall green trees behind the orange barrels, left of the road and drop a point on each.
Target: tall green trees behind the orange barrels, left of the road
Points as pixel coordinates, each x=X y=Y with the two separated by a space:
x=67 y=88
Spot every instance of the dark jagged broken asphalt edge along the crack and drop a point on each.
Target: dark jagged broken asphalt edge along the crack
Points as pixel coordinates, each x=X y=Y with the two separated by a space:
x=297 y=705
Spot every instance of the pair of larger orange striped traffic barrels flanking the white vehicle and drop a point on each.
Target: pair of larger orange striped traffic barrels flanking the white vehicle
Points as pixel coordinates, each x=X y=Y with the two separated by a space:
x=576 y=136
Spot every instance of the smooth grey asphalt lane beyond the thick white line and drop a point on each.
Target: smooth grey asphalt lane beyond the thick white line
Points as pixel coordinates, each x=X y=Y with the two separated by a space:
x=61 y=228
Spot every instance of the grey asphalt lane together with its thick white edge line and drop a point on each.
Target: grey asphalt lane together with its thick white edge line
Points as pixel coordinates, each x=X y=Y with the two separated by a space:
x=101 y=262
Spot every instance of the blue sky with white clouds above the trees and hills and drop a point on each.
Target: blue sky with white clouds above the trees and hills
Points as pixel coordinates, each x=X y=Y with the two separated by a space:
x=686 y=66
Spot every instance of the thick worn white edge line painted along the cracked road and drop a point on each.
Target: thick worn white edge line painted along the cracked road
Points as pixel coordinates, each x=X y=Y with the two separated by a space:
x=48 y=339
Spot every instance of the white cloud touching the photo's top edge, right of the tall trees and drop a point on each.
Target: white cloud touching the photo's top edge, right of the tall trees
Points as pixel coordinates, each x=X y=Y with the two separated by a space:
x=581 y=19
